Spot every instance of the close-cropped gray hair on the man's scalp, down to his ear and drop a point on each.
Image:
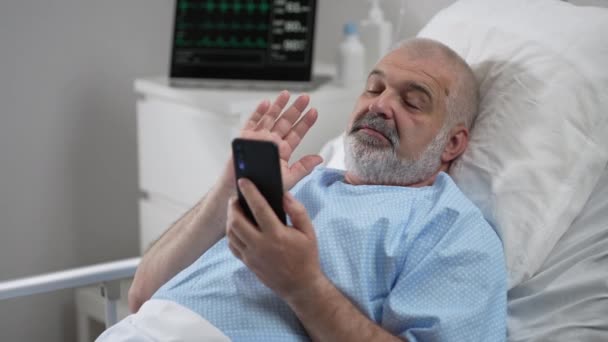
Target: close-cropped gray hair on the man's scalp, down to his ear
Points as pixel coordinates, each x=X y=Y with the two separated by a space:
x=462 y=101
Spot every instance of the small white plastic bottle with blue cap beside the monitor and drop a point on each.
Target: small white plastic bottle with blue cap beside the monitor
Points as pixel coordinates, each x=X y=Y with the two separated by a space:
x=351 y=58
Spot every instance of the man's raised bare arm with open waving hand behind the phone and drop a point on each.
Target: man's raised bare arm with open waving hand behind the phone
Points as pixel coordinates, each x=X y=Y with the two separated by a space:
x=204 y=224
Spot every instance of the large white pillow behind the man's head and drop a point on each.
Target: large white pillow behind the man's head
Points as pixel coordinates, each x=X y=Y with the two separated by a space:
x=540 y=142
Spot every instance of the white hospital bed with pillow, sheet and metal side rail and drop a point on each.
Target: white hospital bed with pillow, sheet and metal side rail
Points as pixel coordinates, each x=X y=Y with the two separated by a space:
x=559 y=291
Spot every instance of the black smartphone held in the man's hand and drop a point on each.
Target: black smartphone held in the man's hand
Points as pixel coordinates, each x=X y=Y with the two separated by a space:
x=258 y=161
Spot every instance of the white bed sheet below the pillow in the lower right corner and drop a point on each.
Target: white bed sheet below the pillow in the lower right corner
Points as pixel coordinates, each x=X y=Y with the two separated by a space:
x=567 y=300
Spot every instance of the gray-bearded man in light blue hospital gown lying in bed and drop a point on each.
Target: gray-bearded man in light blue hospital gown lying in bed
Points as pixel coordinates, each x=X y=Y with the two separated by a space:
x=388 y=250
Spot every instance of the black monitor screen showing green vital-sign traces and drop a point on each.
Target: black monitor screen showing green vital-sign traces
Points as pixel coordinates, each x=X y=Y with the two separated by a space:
x=243 y=39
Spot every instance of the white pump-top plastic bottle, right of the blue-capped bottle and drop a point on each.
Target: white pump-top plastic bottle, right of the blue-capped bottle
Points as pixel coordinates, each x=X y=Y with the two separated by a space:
x=376 y=35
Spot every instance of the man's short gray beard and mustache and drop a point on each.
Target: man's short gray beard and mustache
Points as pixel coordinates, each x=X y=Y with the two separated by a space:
x=377 y=163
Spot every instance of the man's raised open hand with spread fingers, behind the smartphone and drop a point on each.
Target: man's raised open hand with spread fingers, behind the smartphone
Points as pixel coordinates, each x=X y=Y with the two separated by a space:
x=286 y=128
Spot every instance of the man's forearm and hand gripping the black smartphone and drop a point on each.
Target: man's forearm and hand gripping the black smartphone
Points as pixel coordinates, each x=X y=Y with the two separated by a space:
x=286 y=259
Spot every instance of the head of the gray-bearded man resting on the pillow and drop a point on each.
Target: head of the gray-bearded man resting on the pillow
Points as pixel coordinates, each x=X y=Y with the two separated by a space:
x=413 y=117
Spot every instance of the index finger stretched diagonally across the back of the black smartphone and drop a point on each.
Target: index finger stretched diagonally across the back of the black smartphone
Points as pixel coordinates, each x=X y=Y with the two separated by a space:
x=264 y=215
